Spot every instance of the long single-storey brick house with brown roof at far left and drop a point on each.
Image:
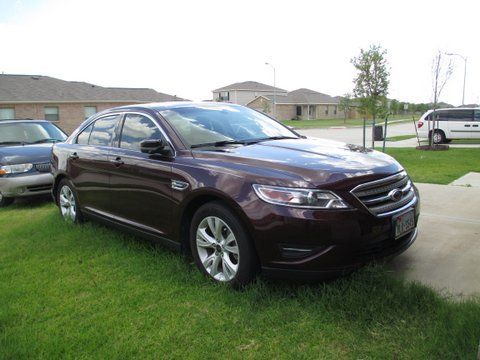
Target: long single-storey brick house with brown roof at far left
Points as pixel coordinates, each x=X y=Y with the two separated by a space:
x=66 y=103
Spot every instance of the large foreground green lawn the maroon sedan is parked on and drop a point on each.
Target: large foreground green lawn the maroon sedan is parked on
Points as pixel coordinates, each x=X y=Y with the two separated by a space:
x=86 y=291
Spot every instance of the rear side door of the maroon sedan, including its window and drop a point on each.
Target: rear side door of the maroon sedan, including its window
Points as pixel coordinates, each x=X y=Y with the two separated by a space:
x=88 y=162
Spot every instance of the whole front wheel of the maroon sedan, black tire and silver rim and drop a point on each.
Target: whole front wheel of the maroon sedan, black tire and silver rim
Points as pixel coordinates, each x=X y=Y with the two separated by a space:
x=221 y=246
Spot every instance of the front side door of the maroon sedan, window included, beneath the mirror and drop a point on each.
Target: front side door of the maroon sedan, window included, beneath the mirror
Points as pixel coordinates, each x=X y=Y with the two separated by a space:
x=140 y=182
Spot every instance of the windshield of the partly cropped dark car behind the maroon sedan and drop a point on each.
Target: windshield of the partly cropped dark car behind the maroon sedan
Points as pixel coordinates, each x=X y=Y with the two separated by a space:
x=29 y=133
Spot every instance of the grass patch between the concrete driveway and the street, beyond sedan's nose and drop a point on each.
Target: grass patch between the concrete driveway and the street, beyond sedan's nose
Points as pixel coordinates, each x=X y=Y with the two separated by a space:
x=438 y=167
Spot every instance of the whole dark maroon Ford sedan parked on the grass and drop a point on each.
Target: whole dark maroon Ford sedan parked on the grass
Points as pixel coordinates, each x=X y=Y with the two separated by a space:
x=239 y=191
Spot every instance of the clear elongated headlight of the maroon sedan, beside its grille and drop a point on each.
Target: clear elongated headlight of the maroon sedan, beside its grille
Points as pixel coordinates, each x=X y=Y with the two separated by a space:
x=302 y=198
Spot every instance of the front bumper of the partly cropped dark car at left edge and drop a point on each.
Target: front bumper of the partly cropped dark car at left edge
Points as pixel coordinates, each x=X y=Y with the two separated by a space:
x=26 y=185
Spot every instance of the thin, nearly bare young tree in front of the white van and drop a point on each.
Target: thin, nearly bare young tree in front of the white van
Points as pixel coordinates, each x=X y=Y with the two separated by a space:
x=441 y=72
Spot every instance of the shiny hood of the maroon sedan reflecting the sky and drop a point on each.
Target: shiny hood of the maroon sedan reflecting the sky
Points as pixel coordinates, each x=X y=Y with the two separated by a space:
x=316 y=161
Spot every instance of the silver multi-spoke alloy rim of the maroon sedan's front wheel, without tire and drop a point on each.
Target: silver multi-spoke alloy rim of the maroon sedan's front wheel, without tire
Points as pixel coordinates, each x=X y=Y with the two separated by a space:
x=217 y=248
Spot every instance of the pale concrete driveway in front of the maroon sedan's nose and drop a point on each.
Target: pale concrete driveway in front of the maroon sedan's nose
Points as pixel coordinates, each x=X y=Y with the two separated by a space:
x=446 y=254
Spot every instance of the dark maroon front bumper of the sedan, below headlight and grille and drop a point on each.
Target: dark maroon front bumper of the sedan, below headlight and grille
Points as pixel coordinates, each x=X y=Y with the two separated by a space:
x=321 y=244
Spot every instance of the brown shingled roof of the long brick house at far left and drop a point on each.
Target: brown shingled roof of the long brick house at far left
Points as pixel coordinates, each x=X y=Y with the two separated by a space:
x=37 y=88
